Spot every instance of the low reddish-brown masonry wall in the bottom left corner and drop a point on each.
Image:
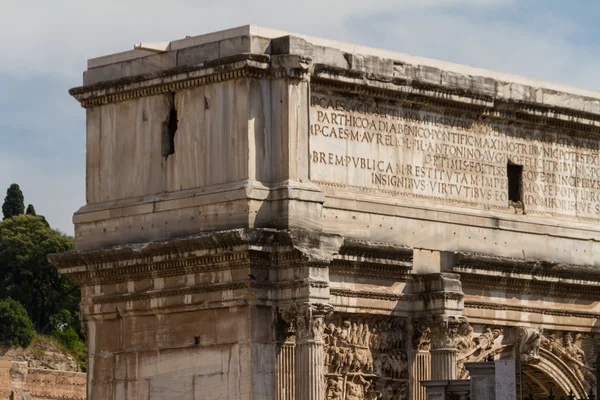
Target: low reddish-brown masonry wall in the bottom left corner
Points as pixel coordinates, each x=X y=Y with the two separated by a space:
x=23 y=383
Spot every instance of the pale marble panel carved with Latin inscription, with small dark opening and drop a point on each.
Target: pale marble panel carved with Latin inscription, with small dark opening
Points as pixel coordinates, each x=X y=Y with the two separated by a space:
x=379 y=146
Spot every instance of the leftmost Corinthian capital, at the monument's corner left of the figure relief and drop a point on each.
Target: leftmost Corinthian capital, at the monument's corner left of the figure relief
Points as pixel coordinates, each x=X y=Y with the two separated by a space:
x=308 y=320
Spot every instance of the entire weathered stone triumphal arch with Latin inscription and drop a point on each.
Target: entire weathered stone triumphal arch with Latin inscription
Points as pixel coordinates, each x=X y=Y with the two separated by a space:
x=275 y=216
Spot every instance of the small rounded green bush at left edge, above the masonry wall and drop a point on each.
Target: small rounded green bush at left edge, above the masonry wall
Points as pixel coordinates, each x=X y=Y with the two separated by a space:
x=16 y=328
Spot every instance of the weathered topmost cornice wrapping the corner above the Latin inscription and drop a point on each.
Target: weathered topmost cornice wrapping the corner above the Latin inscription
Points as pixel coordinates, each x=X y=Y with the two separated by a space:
x=415 y=85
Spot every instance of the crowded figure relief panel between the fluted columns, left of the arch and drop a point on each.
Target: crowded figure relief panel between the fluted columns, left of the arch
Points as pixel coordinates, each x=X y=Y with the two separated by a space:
x=365 y=359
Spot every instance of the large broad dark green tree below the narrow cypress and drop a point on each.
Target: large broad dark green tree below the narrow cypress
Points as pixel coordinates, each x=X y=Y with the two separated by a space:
x=28 y=277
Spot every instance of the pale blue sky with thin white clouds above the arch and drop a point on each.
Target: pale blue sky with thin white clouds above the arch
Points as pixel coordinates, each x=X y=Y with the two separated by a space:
x=44 y=46
